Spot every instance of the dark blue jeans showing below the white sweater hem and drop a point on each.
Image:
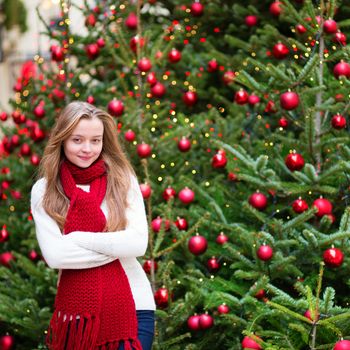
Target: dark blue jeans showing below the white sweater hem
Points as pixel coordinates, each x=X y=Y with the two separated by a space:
x=145 y=321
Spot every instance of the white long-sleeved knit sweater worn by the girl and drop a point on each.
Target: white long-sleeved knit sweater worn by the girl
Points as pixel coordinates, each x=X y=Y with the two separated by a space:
x=79 y=250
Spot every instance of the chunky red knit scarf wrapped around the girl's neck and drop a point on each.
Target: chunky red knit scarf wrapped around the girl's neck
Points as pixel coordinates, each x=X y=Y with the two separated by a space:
x=94 y=307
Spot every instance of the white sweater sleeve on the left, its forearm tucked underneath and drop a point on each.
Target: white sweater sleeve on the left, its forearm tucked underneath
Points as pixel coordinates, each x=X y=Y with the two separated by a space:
x=58 y=250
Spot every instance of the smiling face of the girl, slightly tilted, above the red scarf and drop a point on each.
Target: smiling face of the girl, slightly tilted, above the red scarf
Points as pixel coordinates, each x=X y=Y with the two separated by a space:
x=84 y=145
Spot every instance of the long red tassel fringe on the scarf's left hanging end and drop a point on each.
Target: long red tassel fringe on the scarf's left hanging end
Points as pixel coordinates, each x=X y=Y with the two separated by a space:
x=69 y=332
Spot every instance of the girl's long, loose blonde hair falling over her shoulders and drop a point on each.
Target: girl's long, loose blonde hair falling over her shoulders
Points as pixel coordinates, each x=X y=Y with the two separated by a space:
x=119 y=169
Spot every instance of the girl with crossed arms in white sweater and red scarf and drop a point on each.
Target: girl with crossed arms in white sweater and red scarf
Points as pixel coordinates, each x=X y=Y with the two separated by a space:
x=91 y=225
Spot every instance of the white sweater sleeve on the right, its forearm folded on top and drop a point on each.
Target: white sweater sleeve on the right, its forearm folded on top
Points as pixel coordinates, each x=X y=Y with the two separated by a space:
x=131 y=242
